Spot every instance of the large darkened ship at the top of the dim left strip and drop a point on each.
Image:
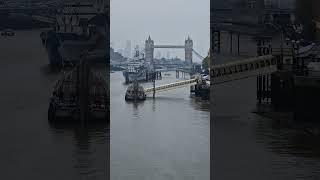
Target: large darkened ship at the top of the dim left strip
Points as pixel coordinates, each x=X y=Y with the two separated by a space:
x=80 y=27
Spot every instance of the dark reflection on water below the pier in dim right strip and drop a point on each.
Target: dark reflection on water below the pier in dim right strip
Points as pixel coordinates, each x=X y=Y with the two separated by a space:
x=292 y=138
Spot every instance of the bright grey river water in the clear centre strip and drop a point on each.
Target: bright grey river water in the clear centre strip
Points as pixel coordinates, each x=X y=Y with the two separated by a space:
x=162 y=138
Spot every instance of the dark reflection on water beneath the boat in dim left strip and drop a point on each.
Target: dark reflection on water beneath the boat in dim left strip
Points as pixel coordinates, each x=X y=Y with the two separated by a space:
x=85 y=137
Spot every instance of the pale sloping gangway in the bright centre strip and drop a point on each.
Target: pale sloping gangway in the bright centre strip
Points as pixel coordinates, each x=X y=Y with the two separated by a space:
x=171 y=86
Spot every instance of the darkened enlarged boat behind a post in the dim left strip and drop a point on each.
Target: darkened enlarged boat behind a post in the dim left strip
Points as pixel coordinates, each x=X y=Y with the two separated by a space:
x=65 y=101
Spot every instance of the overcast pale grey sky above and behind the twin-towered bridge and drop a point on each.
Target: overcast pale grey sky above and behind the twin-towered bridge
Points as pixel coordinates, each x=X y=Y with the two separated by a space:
x=166 y=21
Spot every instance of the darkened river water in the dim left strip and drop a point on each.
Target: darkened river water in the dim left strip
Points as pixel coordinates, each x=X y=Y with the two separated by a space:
x=31 y=148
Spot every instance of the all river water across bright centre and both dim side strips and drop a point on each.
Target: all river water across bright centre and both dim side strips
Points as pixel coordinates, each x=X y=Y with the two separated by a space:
x=165 y=138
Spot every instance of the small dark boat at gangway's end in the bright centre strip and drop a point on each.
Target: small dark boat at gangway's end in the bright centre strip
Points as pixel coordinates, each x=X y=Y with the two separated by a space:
x=135 y=92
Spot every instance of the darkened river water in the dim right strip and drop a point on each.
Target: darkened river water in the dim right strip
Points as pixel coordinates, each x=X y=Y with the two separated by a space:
x=248 y=146
